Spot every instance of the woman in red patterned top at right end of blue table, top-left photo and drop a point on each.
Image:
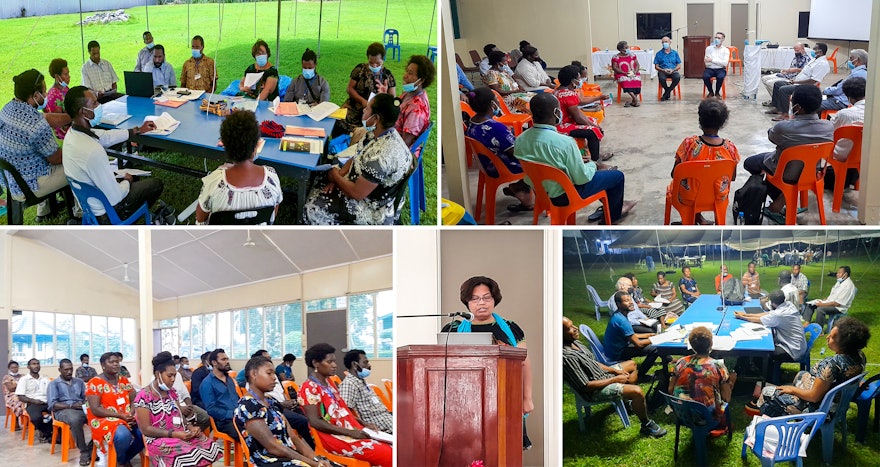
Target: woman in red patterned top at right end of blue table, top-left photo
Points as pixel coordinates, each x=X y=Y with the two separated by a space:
x=415 y=110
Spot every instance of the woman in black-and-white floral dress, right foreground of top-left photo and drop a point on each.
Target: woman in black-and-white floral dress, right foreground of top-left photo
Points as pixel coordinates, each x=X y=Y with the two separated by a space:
x=364 y=190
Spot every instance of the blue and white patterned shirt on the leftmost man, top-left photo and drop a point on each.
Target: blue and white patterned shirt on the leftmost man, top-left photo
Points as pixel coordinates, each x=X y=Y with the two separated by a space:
x=26 y=140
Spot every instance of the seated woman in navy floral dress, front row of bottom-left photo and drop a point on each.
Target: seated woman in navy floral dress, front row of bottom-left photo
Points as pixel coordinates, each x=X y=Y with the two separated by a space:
x=260 y=420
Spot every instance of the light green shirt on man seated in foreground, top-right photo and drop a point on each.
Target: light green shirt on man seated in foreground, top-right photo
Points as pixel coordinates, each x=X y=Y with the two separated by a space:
x=543 y=144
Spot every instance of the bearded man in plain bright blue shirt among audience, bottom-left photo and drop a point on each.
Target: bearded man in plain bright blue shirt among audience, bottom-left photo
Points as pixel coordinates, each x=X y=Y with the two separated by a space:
x=218 y=393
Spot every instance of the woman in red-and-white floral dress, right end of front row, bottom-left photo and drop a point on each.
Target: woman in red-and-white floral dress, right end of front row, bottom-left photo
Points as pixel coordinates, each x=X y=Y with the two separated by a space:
x=340 y=431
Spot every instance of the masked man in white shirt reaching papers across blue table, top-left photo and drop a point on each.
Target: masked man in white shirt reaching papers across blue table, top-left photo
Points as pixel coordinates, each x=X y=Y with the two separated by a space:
x=85 y=159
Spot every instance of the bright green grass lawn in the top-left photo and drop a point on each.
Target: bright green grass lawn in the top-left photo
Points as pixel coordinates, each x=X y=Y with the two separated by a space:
x=33 y=42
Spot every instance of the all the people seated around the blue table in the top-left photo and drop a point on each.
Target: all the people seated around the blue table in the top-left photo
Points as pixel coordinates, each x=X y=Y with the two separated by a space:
x=364 y=191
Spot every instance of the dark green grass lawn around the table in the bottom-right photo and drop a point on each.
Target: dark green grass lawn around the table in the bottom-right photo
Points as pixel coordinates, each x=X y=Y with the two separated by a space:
x=607 y=443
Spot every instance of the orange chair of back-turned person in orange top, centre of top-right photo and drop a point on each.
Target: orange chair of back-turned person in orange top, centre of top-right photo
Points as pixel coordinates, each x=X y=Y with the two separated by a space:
x=701 y=176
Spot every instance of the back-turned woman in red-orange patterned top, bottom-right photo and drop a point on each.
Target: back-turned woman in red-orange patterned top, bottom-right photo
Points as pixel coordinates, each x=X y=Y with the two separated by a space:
x=701 y=378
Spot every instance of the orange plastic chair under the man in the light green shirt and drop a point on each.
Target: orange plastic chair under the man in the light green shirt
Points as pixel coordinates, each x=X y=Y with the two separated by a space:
x=559 y=215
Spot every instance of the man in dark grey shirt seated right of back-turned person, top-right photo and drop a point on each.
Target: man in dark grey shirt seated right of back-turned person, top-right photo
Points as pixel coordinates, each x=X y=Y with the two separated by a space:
x=804 y=128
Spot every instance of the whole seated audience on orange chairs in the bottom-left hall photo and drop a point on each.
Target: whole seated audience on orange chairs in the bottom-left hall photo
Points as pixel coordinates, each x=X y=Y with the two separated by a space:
x=171 y=422
